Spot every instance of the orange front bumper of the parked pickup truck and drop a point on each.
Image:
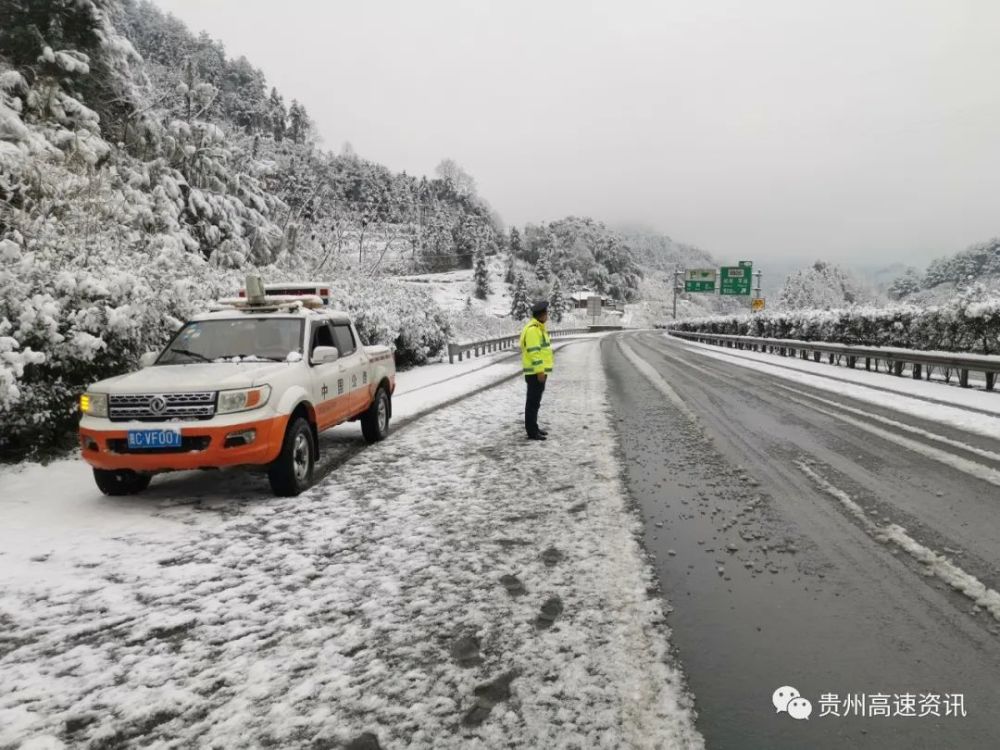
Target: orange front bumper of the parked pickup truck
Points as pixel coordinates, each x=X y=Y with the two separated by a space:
x=103 y=445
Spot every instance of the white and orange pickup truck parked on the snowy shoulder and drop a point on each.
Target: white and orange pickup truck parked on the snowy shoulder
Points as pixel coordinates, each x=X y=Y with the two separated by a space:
x=251 y=383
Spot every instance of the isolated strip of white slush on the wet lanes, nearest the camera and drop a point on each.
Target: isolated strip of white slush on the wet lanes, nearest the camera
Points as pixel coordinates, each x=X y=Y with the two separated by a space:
x=937 y=565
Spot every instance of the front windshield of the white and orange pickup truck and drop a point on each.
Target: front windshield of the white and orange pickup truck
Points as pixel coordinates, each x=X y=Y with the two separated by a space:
x=235 y=340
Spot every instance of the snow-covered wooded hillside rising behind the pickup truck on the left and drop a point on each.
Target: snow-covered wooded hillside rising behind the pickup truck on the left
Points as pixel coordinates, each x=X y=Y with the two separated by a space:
x=144 y=172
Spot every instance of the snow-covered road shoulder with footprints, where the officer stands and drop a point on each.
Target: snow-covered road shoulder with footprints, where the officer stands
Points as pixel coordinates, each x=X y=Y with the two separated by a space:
x=454 y=586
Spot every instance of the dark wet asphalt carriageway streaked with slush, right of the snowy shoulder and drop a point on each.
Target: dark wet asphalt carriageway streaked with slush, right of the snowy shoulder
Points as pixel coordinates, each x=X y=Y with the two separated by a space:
x=774 y=582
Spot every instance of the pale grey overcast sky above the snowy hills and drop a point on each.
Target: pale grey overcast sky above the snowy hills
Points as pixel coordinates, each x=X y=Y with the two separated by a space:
x=764 y=129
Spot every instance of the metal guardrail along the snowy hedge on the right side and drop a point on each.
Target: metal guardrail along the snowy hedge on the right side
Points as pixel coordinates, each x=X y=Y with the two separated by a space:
x=920 y=362
